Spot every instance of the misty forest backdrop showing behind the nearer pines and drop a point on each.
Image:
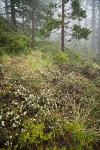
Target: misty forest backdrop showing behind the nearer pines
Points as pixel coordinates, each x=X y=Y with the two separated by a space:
x=92 y=22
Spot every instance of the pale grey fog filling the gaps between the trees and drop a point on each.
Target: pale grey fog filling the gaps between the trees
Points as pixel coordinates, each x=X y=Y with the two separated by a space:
x=24 y=21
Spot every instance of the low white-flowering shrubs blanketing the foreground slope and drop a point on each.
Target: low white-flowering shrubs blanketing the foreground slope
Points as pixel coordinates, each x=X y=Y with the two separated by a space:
x=49 y=97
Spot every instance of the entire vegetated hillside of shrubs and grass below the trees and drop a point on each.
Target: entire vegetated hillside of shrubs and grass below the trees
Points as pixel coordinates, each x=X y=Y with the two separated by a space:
x=49 y=100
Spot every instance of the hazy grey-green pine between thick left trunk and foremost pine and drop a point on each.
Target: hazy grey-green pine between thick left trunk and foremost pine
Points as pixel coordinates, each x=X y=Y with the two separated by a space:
x=30 y=14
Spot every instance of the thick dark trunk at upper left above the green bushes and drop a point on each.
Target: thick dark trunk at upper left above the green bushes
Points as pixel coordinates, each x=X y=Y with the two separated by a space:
x=13 y=16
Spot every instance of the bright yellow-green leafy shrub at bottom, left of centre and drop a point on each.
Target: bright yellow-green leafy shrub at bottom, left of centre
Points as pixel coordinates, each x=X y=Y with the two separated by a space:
x=33 y=134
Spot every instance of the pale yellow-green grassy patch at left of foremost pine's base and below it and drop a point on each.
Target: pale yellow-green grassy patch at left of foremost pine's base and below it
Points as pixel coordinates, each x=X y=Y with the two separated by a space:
x=47 y=59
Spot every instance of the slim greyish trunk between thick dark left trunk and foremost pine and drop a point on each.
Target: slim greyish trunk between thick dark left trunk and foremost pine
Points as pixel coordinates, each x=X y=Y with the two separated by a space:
x=33 y=27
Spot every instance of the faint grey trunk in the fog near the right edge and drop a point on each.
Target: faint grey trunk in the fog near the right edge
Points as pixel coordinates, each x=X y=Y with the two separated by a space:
x=93 y=24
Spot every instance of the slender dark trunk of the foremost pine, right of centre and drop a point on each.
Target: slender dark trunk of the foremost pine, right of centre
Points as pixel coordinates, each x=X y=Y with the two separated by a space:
x=62 y=28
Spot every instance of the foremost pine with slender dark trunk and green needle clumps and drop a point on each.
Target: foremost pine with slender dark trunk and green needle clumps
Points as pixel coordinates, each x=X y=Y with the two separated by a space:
x=70 y=10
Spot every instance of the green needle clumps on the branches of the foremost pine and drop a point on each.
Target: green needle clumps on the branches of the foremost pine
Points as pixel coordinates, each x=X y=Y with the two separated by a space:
x=76 y=12
